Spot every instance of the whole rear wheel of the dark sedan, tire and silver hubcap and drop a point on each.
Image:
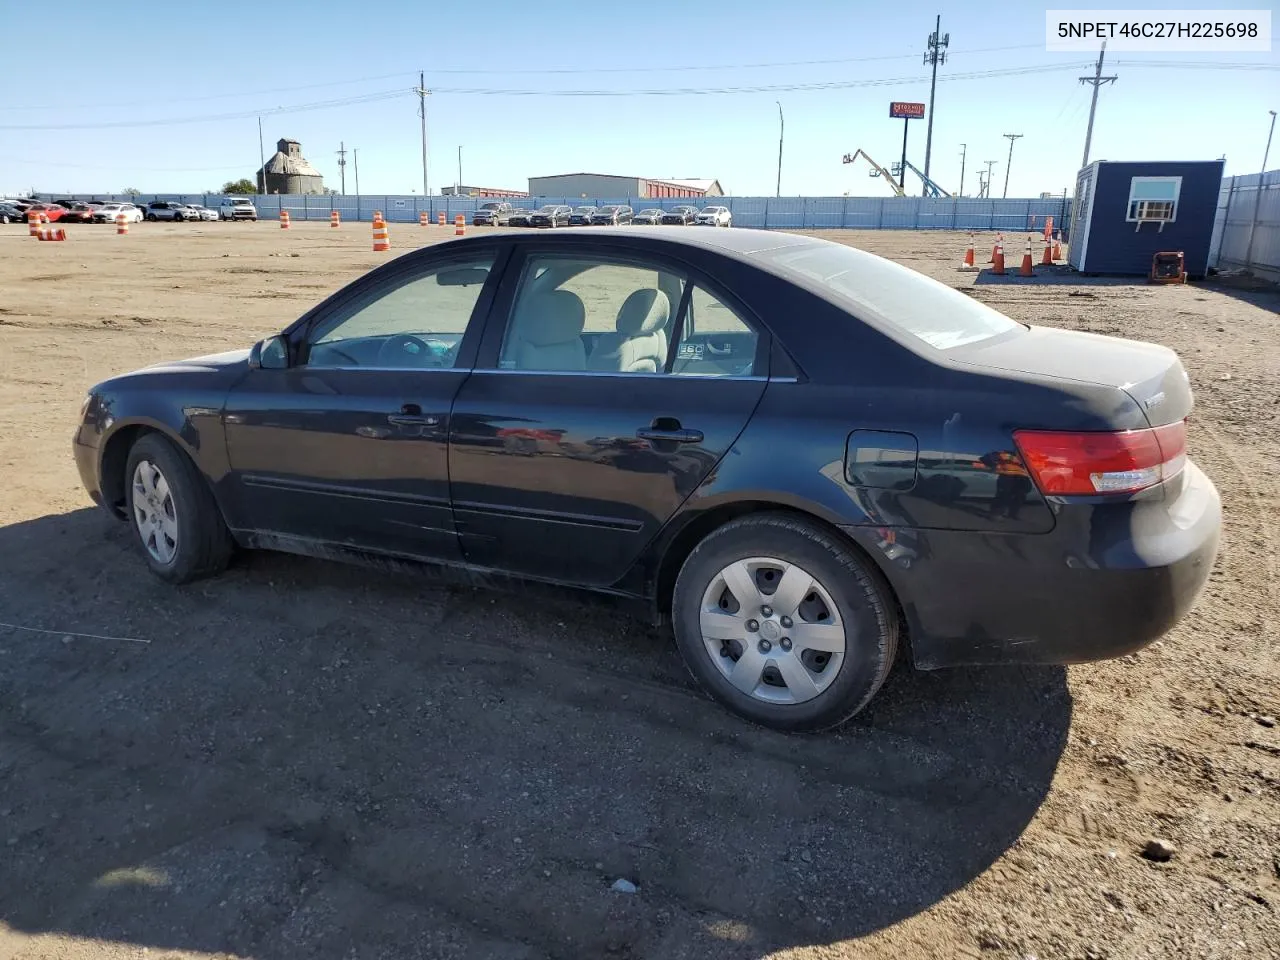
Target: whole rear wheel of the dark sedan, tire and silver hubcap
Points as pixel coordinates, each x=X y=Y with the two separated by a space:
x=784 y=623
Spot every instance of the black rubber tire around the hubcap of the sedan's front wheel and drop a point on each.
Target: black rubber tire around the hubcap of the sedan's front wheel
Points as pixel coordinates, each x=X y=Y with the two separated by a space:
x=204 y=545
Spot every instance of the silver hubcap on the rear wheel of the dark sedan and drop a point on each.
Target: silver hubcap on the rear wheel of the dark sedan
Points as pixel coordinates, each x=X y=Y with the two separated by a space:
x=772 y=630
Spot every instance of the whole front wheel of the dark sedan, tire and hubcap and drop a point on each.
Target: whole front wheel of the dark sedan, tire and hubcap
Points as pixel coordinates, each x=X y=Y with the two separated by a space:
x=173 y=514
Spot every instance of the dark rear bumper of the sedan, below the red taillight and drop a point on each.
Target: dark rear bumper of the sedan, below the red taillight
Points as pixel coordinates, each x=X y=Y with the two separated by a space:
x=1108 y=580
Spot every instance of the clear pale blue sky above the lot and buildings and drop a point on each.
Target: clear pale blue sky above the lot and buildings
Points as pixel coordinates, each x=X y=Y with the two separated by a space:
x=148 y=62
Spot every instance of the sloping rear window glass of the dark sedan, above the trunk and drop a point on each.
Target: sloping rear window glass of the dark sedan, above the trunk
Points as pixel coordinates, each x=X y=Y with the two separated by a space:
x=879 y=290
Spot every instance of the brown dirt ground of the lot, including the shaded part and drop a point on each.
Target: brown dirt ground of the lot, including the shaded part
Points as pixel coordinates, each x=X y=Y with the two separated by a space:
x=301 y=760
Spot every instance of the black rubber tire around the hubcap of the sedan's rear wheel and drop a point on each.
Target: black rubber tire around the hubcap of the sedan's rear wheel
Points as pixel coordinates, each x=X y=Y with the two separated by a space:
x=857 y=588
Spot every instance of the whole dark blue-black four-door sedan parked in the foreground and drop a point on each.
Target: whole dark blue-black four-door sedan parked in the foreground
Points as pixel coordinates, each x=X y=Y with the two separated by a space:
x=799 y=454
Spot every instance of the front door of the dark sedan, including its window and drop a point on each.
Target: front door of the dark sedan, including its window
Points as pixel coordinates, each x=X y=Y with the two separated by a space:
x=348 y=445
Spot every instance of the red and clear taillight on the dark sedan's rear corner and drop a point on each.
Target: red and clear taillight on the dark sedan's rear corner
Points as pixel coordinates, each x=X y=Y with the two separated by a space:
x=1103 y=463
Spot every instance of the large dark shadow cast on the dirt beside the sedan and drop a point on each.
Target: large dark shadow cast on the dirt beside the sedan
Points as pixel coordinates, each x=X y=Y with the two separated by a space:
x=318 y=761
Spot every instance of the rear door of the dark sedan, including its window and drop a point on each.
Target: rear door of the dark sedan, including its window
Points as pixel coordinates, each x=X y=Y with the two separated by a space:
x=583 y=428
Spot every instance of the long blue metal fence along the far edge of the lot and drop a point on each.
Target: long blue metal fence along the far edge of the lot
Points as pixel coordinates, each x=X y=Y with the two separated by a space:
x=767 y=213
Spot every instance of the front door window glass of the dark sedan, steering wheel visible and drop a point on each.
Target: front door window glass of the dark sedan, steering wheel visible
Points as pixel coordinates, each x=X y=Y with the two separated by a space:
x=409 y=324
